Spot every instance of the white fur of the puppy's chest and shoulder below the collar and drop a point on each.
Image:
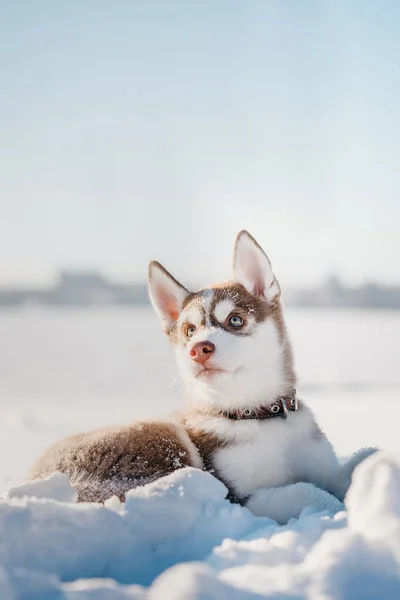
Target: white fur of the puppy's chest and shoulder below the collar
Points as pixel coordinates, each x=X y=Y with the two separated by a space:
x=272 y=452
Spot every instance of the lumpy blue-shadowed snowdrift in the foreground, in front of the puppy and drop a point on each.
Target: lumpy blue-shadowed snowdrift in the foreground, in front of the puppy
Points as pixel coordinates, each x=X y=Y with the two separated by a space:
x=179 y=539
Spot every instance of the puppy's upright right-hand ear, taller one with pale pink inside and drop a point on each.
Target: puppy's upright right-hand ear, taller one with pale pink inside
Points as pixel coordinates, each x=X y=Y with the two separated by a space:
x=252 y=268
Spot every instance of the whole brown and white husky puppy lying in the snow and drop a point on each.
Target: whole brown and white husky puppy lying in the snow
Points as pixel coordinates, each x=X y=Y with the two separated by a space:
x=233 y=353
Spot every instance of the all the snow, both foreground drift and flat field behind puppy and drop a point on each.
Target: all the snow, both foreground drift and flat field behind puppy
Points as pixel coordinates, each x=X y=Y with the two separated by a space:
x=65 y=371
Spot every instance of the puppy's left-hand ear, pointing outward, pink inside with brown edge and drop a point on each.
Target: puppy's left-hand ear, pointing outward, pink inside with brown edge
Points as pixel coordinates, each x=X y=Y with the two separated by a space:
x=167 y=295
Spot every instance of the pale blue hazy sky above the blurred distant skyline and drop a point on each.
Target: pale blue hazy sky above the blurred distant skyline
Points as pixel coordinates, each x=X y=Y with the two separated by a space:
x=133 y=130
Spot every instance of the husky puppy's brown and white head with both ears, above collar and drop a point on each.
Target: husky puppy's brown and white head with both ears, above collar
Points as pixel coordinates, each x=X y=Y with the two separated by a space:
x=230 y=339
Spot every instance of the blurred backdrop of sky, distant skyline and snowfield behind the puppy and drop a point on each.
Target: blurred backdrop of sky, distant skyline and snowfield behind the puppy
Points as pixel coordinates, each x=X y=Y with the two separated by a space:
x=138 y=130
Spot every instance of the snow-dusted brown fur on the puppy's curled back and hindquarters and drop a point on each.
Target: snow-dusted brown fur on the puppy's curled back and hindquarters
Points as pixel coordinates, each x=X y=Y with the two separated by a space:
x=117 y=459
